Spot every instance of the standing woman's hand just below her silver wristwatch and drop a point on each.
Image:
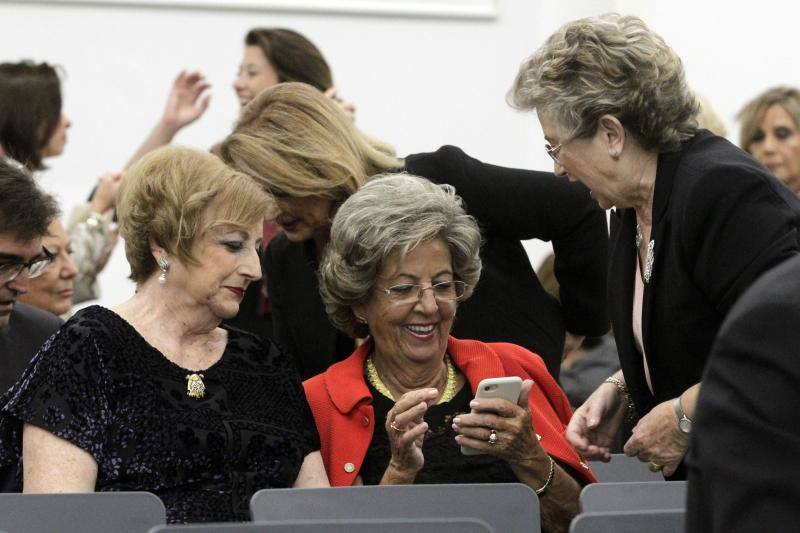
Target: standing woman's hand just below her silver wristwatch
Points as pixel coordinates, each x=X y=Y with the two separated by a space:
x=657 y=439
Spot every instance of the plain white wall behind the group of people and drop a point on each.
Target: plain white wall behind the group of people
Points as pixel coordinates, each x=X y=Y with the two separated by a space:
x=418 y=83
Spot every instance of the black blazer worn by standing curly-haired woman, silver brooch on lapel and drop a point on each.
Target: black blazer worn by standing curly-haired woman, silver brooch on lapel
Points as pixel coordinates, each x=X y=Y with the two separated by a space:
x=720 y=220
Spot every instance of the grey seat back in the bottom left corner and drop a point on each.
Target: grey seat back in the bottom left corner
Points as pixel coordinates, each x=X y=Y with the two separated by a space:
x=94 y=512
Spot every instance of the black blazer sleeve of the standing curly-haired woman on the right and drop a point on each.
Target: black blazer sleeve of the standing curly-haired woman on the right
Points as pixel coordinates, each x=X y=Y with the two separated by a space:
x=739 y=224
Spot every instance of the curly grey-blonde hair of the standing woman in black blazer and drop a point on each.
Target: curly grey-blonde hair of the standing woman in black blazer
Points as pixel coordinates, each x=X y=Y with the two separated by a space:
x=609 y=65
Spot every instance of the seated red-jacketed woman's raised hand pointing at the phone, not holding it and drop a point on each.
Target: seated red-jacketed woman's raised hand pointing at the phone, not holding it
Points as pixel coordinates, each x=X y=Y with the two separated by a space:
x=406 y=427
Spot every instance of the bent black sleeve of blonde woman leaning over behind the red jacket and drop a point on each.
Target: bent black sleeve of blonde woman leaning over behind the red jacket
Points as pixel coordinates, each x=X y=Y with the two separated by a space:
x=524 y=204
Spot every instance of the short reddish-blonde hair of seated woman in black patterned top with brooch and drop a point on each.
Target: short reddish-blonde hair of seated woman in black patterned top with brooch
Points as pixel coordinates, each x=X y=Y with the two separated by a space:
x=173 y=197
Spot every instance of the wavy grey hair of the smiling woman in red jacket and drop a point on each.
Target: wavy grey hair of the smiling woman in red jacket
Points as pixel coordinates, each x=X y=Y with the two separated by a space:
x=385 y=220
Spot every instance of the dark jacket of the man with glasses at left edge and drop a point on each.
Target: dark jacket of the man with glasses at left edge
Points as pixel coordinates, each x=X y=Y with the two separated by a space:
x=27 y=329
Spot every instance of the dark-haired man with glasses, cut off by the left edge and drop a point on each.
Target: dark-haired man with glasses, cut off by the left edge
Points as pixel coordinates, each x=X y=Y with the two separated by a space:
x=25 y=212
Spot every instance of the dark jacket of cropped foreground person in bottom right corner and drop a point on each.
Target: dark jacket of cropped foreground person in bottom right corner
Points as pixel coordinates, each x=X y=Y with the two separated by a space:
x=743 y=472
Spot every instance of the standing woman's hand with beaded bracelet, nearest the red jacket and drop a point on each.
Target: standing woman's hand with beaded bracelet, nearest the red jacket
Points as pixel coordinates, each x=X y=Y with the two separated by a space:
x=594 y=424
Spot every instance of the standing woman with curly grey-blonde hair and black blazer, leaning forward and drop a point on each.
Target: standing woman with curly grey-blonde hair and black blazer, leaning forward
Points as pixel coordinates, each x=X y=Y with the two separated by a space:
x=696 y=220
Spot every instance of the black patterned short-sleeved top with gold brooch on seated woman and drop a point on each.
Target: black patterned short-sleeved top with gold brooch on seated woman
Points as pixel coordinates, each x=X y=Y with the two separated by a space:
x=101 y=386
